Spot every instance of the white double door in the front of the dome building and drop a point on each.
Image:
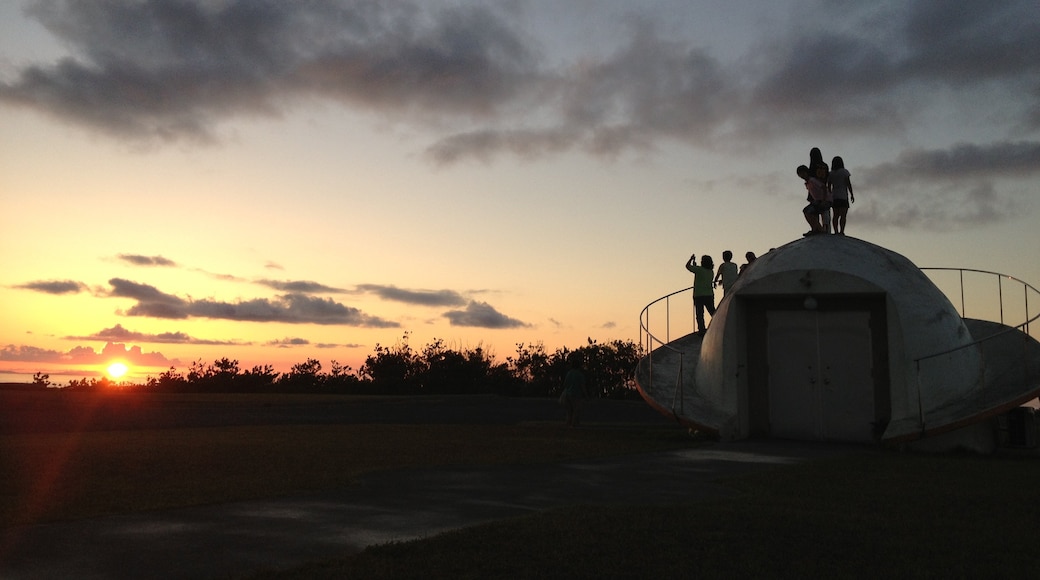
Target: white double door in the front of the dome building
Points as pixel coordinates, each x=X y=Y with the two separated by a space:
x=821 y=385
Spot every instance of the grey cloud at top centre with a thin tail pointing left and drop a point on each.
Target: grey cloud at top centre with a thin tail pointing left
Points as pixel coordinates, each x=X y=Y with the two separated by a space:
x=648 y=91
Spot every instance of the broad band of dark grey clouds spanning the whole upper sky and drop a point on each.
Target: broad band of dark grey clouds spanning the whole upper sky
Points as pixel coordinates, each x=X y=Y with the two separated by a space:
x=162 y=70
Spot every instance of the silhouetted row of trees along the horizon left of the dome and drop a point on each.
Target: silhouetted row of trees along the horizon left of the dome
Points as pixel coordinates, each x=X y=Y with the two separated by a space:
x=402 y=371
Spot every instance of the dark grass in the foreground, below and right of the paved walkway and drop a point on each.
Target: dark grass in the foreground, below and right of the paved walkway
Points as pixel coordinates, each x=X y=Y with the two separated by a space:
x=878 y=516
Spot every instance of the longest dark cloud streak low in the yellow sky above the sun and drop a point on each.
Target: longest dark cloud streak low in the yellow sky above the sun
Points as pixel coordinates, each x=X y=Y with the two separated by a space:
x=293 y=308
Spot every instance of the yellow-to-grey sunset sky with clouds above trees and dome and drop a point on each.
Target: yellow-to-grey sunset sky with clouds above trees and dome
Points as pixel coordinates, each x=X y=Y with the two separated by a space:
x=275 y=181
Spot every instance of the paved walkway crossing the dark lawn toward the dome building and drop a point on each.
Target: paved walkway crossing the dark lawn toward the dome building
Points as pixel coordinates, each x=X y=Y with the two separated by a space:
x=232 y=540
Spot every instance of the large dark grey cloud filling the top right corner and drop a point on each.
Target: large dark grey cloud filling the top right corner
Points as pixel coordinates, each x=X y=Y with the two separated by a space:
x=879 y=70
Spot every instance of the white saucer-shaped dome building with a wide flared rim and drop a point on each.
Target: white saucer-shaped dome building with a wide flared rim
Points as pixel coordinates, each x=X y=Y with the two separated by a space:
x=833 y=338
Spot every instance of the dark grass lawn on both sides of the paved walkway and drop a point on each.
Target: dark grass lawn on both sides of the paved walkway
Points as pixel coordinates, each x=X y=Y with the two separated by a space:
x=889 y=514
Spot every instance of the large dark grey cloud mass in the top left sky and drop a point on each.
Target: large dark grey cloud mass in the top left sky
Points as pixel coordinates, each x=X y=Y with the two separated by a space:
x=157 y=69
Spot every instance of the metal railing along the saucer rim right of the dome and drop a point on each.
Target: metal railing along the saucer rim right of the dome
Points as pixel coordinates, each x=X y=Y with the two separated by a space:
x=982 y=310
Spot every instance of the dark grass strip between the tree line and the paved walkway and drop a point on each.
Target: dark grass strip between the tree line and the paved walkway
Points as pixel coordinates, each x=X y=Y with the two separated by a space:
x=71 y=476
